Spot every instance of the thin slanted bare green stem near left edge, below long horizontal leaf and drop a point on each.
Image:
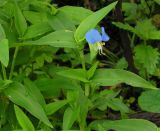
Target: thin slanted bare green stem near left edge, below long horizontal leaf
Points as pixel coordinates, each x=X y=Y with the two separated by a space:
x=13 y=62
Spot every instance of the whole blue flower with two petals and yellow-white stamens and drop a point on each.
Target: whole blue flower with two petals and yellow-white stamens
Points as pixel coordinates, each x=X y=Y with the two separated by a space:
x=95 y=37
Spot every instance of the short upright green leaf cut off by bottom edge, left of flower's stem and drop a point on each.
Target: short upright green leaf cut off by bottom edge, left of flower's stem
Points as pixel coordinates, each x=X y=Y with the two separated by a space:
x=69 y=118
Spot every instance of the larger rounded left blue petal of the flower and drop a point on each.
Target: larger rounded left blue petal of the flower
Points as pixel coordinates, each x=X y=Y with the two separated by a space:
x=93 y=36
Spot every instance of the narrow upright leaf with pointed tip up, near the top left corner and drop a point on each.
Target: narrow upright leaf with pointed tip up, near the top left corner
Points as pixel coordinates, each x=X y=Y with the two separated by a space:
x=19 y=20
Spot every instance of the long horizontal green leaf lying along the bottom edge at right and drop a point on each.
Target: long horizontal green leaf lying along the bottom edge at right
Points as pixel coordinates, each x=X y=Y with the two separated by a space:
x=125 y=125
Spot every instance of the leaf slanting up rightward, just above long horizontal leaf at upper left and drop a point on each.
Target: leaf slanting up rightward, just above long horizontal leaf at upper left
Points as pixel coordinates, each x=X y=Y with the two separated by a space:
x=37 y=30
